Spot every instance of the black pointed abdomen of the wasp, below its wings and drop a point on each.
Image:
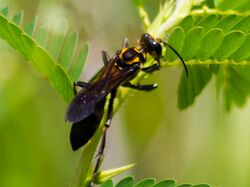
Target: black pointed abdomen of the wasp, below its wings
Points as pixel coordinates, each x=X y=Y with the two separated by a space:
x=82 y=131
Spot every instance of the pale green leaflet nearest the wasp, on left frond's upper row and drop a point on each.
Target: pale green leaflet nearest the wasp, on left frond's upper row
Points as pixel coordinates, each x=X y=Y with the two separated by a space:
x=77 y=67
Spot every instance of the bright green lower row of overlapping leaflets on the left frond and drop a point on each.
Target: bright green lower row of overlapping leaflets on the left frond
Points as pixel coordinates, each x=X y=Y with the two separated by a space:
x=29 y=48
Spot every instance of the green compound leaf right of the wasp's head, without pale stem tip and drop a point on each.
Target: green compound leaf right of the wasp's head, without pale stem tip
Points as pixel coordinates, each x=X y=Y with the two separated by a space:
x=213 y=44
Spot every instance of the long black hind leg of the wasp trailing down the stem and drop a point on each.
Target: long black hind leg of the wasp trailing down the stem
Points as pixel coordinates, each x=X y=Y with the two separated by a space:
x=100 y=154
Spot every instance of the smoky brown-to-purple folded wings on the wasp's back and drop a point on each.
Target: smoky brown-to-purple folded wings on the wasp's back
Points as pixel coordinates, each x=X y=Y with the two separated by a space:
x=84 y=103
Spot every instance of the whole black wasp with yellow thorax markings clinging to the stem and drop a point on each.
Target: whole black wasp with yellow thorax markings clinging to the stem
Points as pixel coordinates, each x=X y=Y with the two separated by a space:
x=86 y=109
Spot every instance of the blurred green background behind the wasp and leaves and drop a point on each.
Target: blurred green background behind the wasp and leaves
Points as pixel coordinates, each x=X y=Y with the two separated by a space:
x=202 y=144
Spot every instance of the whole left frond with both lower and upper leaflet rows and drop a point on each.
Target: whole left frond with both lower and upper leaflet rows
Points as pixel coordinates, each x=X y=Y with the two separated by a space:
x=53 y=59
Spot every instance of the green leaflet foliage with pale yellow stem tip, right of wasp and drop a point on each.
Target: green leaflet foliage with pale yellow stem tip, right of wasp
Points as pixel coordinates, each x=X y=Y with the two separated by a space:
x=211 y=41
